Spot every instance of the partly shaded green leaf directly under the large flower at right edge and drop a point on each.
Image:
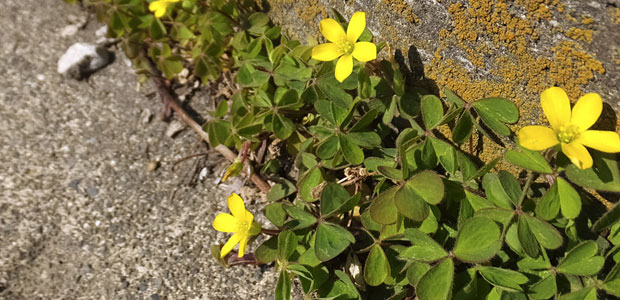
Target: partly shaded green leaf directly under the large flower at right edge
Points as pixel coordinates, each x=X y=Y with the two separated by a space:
x=603 y=176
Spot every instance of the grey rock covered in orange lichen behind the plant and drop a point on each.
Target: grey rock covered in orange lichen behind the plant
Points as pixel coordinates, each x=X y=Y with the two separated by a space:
x=483 y=48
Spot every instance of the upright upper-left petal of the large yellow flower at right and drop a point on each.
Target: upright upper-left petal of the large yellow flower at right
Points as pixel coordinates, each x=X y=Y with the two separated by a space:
x=556 y=106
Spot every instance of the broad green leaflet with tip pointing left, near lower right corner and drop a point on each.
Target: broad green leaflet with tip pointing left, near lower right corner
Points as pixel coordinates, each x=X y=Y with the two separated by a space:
x=582 y=260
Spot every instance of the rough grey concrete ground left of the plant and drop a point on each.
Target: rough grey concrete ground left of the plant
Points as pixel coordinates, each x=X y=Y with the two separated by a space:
x=80 y=215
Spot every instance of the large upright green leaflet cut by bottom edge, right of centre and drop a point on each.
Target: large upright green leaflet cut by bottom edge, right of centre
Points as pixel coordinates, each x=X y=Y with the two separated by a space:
x=436 y=284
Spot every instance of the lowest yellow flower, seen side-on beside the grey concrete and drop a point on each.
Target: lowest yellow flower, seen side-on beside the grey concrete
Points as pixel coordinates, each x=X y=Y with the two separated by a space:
x=241 y=222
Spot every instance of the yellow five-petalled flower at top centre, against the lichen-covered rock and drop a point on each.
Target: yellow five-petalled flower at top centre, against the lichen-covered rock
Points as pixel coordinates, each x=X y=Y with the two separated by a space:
x=344 y=45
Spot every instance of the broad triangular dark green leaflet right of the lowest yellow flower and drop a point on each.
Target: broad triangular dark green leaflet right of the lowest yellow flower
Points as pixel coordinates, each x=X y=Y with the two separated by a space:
x=331 y=240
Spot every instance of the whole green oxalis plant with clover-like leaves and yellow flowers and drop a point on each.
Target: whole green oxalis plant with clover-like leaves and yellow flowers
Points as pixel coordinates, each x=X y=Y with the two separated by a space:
x=377 y=194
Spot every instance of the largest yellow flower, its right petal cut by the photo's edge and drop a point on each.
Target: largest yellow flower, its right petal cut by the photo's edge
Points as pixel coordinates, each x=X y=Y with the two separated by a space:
x=570 y=129
